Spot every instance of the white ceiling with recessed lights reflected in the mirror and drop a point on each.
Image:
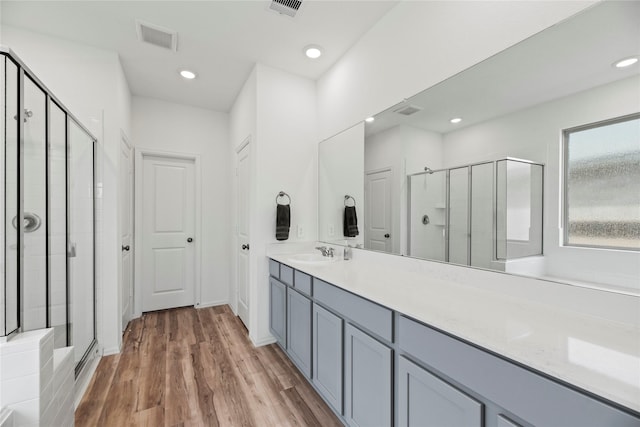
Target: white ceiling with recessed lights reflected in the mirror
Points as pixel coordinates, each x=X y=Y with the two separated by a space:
x=567 y=58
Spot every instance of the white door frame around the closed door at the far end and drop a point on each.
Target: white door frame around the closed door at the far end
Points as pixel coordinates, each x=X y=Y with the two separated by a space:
x=140 y=154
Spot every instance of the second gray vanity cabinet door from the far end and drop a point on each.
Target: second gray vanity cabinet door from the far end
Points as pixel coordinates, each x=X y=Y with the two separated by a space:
x=299 y=330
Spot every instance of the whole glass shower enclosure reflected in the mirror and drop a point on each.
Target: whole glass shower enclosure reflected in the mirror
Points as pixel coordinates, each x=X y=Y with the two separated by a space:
x=485 y=215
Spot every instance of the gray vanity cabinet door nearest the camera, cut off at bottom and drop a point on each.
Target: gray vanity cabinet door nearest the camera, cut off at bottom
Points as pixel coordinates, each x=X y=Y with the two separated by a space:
x=426 y=401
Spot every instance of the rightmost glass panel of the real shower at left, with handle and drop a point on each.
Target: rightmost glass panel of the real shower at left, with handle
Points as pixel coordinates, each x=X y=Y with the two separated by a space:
x=80 y=250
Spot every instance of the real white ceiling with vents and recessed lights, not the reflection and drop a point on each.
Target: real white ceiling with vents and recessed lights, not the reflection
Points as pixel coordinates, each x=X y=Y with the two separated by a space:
x=219 y=40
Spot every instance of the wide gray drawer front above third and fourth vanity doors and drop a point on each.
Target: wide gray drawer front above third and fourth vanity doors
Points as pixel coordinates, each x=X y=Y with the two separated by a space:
x=367 y=314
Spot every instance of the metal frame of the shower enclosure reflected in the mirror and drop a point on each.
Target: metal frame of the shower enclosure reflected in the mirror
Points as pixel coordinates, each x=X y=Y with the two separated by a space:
x=494 y=202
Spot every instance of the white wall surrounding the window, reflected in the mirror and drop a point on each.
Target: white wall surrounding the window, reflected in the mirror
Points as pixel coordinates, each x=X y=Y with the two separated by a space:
x=536 y=134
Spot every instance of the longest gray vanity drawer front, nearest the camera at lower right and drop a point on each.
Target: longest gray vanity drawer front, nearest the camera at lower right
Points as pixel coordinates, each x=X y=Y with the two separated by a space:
x=524 y=393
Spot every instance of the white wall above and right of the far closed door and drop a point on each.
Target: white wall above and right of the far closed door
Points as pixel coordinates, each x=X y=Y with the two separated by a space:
x=168 y=127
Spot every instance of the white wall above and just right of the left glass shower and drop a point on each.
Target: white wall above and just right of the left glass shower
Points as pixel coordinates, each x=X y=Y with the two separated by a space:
x=90 y=83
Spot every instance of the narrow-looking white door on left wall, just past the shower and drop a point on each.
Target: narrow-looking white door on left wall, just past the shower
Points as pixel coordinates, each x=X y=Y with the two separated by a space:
x=126 y=230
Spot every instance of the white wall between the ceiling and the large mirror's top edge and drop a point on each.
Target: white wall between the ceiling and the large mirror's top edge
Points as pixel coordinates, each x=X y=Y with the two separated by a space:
x=418 y=44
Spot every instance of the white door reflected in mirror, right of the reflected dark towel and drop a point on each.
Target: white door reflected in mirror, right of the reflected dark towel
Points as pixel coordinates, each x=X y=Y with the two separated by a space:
x=377 y=219
